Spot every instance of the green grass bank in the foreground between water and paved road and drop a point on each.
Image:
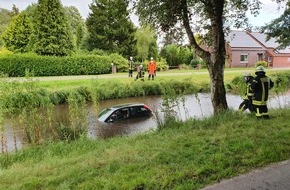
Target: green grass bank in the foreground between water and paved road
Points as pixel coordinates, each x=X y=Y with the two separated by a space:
x=187 y=155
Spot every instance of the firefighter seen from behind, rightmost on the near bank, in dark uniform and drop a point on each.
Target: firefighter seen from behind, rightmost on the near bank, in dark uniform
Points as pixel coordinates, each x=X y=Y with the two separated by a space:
x=261 y=85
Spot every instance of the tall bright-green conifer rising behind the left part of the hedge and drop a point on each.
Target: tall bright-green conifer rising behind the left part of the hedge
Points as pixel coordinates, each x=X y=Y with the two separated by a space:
x=52 y=31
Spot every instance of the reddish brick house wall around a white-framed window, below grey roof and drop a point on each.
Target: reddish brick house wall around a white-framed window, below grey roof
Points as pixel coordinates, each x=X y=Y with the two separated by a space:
x=234 y=60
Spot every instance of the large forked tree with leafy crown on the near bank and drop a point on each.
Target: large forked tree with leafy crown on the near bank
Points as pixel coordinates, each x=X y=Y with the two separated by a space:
x=210 y=17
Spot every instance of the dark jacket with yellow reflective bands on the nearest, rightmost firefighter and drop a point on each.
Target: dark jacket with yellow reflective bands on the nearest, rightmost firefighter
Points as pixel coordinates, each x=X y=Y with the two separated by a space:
x=261 y=85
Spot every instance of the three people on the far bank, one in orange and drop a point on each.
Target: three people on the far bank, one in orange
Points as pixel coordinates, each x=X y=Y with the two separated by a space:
x=151 y=68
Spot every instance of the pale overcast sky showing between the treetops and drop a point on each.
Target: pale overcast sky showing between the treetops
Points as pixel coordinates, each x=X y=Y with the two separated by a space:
x=269 y=9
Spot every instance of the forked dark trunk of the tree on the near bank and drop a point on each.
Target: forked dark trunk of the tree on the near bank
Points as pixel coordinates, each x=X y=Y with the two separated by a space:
x=214 y=57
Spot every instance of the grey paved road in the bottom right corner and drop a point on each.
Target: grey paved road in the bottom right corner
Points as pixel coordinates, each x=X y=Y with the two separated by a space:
x=273 y=177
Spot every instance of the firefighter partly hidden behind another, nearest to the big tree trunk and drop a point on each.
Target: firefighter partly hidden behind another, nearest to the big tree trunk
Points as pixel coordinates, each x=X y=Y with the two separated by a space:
x=247 y=102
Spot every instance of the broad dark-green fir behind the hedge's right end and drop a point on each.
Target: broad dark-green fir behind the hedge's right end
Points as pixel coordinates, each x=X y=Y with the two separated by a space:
x=110 y=28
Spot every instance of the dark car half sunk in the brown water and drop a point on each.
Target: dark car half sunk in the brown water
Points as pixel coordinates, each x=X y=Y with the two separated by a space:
x=124 y=112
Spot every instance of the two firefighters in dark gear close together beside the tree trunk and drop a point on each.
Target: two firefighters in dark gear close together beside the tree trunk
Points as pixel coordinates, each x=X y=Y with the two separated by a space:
x=257 y=92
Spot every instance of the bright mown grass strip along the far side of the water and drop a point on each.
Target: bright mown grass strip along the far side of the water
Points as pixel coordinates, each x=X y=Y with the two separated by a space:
x=198 y=76
